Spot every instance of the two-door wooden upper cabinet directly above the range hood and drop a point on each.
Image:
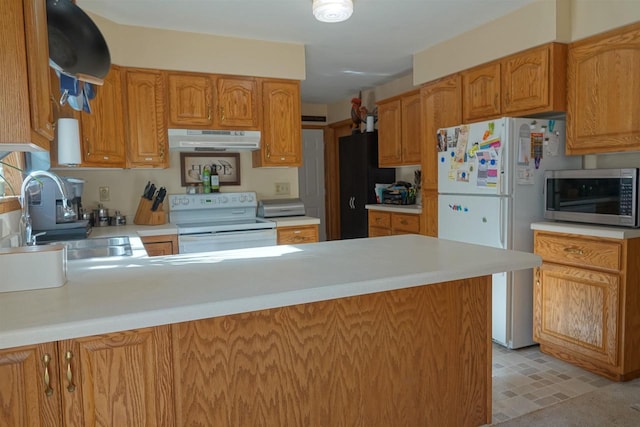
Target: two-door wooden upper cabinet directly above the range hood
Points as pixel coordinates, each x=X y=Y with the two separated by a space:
x=207 y=101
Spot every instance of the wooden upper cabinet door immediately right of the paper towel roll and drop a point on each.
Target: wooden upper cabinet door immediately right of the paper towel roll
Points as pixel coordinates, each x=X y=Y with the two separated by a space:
x=103 y=139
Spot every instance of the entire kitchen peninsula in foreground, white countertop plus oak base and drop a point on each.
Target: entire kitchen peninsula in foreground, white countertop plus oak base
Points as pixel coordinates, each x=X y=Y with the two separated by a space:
x=372 y=332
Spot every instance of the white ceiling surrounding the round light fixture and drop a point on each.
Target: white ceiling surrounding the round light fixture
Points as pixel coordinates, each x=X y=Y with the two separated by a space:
x=373 y=47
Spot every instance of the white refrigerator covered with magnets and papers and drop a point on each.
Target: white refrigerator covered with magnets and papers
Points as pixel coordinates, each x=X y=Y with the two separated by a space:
x=490 y=185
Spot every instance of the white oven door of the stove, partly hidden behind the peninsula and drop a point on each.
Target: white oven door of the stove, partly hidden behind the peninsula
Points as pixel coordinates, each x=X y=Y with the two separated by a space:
x=208 y=242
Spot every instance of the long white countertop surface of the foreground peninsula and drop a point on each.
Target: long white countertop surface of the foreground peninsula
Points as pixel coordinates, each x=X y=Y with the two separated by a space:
x=120 y=293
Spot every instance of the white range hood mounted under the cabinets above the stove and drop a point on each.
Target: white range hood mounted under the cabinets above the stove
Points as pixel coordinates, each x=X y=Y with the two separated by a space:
x=213 y=140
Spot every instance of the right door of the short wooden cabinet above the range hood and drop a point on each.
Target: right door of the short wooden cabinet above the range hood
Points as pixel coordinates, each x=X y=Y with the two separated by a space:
x=237 y=102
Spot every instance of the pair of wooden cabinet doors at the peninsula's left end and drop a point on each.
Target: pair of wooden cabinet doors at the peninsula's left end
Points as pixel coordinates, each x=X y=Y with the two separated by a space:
x=117 y=379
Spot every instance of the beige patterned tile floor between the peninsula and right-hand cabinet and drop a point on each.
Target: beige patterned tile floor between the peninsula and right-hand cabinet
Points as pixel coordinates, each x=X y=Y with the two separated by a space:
x=526 y=380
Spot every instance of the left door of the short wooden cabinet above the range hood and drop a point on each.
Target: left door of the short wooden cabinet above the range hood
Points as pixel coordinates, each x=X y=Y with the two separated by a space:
x=190 y=100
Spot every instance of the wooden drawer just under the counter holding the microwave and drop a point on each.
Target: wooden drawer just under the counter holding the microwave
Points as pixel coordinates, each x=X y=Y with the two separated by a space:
x=575 y=250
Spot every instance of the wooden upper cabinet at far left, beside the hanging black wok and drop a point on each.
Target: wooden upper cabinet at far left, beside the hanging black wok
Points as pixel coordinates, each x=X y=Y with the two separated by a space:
x=25 y=91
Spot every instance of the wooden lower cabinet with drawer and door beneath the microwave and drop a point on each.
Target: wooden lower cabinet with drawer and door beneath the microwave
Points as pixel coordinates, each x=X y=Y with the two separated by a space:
x=587 y=302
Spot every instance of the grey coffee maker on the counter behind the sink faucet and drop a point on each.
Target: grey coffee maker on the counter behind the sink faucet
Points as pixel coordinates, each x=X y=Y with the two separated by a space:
x=45 y=209
